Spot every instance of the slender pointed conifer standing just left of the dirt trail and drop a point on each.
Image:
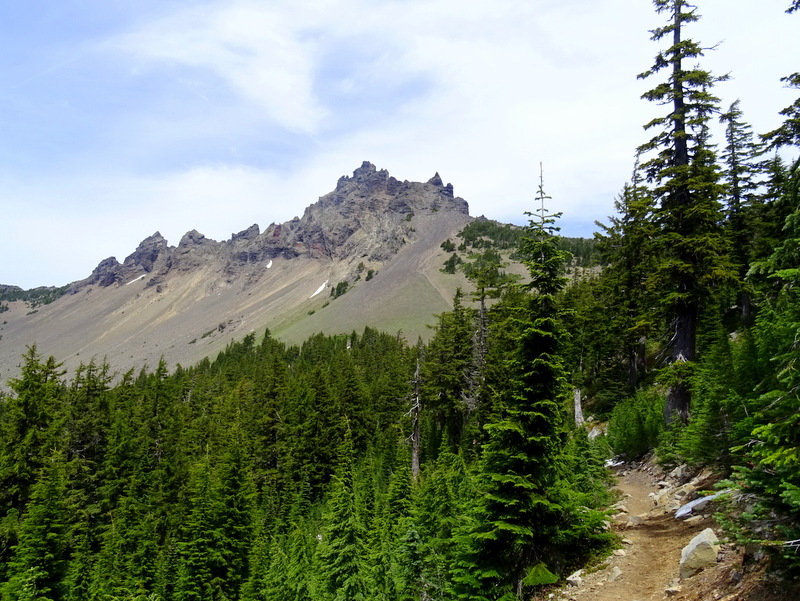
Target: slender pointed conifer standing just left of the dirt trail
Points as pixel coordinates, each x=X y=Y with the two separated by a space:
x=516 y=520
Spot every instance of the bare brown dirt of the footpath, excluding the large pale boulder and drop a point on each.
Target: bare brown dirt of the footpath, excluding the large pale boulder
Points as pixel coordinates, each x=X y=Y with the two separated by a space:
x=652 y=551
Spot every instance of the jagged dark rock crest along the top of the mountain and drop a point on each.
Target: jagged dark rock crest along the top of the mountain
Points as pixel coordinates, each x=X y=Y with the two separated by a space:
x=368 y=217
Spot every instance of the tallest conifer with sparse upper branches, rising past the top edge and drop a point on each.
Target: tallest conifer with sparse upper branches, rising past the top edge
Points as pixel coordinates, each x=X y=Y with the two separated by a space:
x=686 y=185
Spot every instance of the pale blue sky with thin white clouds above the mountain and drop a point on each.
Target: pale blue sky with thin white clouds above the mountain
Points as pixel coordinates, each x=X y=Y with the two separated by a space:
x=118 y=119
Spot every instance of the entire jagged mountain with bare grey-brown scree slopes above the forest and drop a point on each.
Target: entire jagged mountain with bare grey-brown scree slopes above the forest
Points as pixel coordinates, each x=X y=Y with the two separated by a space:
x=375 y=236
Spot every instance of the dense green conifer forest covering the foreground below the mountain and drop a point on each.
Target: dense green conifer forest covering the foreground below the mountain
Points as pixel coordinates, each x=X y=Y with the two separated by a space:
x=365 y=467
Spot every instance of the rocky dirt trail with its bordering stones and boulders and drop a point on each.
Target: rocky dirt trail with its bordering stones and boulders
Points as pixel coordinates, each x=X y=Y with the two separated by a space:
x=647 y=567
